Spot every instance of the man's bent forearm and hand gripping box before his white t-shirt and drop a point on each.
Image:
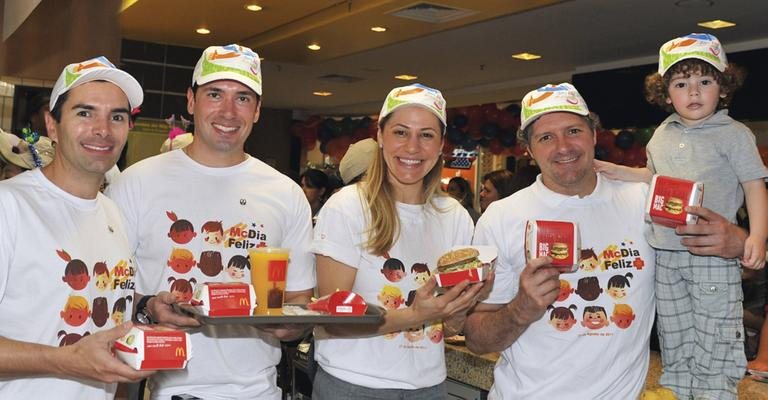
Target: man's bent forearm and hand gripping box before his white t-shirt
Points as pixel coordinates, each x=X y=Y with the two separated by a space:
x=494 y=327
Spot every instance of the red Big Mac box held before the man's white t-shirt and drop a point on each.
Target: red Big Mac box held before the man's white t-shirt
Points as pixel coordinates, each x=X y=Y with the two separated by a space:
x=557 y=239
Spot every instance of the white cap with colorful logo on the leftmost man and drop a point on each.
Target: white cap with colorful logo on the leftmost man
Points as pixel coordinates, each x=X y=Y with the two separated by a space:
x=97 y=69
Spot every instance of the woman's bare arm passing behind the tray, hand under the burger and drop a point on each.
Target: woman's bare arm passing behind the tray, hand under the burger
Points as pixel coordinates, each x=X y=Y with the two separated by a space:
x=333 y=275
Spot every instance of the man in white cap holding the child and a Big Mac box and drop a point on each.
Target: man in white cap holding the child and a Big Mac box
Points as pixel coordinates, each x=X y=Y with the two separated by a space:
x=567 y=335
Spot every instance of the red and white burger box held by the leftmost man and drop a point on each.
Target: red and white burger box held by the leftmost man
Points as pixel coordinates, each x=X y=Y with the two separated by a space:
x=149 y=348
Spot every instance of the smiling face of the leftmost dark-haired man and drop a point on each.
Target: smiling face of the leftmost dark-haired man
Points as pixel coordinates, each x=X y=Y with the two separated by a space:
x=92 y=131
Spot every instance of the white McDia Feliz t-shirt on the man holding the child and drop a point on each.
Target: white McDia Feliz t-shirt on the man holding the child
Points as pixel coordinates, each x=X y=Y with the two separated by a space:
x=599 y=349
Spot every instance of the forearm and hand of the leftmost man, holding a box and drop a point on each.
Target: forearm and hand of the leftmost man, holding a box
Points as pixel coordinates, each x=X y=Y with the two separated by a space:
x=91 y=358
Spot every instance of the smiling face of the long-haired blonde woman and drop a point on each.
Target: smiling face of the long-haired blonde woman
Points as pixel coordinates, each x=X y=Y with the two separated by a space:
x=412 y=142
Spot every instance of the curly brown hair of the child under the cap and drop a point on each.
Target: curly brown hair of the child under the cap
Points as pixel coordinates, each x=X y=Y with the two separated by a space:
x=730 y=80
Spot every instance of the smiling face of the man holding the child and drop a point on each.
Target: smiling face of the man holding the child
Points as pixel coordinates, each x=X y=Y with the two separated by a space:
x=563 y=145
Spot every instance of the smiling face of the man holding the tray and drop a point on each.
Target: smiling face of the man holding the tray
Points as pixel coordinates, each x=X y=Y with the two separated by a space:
x=224 y=113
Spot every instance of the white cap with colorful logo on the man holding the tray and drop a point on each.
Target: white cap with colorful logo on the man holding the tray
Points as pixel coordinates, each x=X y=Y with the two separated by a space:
x=233 y=62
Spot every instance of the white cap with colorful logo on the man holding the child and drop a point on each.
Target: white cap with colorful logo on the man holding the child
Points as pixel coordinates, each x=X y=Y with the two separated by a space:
x=551 y=98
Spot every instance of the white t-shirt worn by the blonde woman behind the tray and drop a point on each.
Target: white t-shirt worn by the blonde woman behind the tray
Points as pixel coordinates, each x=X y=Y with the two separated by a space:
x=403 y=360
